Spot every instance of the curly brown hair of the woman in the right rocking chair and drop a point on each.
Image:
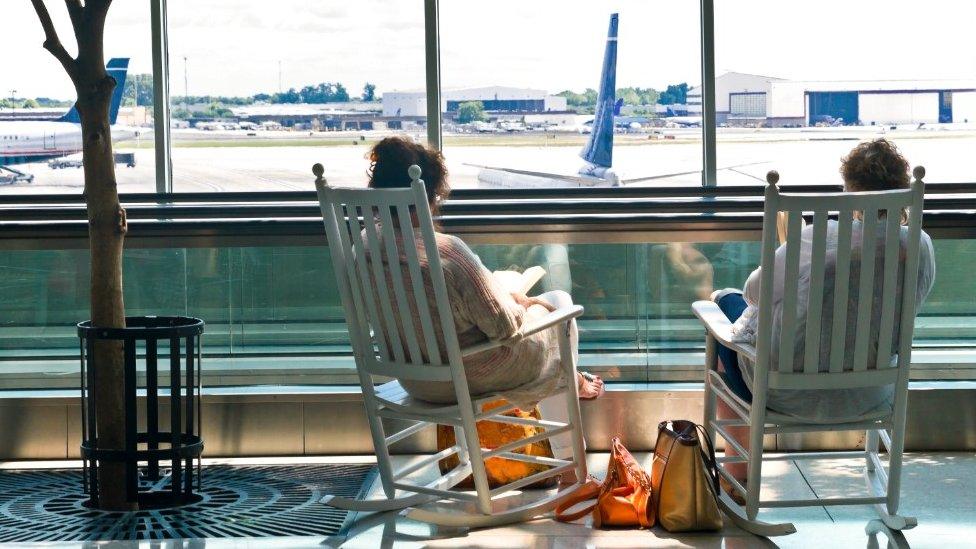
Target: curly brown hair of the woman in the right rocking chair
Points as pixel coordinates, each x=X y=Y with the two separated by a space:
x=875 y=166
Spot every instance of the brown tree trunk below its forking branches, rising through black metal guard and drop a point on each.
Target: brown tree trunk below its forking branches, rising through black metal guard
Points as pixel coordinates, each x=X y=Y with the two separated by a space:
x=106 y=230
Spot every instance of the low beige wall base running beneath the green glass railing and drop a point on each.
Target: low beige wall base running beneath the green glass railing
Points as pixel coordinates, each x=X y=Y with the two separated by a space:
x=335 y=423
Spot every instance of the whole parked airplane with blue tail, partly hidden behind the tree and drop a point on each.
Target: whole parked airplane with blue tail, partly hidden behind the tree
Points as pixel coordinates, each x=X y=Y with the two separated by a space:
x=41 y=140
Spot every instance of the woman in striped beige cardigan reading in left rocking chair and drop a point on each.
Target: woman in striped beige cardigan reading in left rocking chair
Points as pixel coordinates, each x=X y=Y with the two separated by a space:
x=524 y=372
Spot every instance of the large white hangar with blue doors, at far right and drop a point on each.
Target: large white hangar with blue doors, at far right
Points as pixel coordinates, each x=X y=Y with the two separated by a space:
x=754 y=100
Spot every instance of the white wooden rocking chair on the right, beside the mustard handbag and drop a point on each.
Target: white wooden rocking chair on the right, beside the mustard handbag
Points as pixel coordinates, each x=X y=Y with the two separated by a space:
x=843 y=367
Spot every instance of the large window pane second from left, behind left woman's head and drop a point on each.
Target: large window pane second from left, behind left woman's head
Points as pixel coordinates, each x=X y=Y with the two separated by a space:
x=278 y=86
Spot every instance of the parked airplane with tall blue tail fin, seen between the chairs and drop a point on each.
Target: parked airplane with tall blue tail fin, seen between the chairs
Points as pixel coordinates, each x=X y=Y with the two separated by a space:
x=597 y=154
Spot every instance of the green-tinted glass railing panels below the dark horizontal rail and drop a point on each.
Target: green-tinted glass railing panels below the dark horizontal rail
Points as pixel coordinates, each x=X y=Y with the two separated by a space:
x=274 y=317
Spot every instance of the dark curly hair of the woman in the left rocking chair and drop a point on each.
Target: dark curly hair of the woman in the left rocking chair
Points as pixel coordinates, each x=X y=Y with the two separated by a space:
x=392 y=156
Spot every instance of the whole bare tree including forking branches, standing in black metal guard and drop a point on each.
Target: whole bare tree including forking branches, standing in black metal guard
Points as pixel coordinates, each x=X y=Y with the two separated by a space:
x=106 y=225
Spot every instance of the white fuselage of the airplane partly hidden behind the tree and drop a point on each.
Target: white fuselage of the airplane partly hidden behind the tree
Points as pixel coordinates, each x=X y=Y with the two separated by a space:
x=37 y=141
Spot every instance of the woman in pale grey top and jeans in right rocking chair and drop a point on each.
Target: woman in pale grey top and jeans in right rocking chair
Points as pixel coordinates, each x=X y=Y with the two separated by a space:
x=871 y=166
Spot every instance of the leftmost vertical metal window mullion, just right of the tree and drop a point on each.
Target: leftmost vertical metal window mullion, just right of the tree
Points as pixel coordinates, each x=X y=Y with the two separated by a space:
x=161 y=115
